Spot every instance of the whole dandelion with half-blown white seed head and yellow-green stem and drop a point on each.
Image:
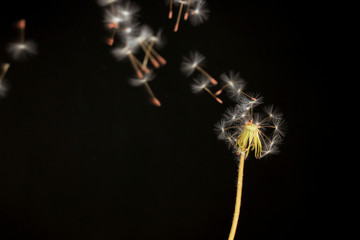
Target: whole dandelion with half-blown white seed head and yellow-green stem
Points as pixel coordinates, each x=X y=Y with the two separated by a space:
x=247 y=132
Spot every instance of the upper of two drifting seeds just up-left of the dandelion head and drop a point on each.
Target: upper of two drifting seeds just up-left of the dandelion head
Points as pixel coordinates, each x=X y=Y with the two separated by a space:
x=192 y=62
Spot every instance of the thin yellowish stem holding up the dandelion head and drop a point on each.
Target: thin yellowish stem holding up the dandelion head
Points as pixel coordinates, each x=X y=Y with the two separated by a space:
x=238 y=197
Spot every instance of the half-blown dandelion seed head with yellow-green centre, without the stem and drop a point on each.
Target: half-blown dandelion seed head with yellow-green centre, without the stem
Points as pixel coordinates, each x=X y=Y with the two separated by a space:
x=253 y=131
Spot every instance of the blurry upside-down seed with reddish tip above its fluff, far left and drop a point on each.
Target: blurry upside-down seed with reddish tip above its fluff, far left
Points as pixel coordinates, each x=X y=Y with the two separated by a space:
x=22 y=49
